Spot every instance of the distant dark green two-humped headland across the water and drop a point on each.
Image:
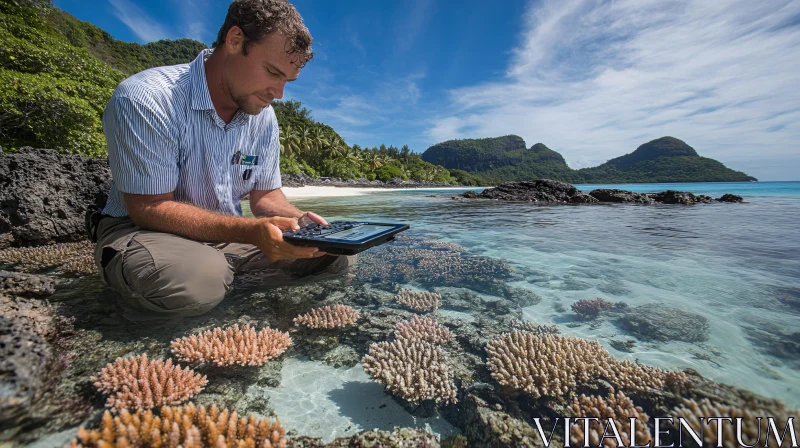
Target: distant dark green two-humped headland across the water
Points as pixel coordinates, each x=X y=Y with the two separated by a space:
x=500 y=159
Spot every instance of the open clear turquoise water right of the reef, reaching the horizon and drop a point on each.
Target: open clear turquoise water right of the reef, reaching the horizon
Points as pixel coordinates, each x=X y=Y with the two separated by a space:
x=727 y=262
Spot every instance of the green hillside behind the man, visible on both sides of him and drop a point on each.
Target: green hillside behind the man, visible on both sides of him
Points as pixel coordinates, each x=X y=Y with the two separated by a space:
x=58 y=73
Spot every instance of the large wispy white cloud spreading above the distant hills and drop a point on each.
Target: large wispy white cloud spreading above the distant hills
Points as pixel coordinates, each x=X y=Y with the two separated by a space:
x=594 y=80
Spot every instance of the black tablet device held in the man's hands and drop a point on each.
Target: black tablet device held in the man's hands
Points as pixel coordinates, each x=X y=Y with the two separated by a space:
x=344 y=237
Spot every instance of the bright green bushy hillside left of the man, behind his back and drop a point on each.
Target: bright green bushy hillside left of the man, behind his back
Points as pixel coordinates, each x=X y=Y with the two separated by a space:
x=58 y=73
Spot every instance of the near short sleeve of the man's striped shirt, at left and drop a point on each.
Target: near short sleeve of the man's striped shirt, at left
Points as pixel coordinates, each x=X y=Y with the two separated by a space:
x=141 y=151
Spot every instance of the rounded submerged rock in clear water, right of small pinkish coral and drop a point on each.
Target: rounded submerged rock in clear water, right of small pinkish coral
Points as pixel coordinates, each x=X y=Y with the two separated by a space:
x=658 y=322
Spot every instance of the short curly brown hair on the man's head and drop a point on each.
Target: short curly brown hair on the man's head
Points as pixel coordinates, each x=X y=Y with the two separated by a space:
x=259 y=18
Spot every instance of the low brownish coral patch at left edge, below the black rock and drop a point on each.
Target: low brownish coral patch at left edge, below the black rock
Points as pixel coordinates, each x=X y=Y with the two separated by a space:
x=73 y=258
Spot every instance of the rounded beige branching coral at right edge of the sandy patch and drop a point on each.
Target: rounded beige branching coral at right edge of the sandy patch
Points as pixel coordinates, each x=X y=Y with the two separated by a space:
x=412 y=369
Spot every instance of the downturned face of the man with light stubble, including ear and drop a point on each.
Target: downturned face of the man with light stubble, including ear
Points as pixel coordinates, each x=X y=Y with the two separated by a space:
x=256 y=79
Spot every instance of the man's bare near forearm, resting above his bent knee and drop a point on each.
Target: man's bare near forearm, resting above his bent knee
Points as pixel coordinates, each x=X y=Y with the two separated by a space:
x=193 y=222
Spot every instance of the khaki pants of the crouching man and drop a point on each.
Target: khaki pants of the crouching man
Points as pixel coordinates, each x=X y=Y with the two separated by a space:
x=164 y=275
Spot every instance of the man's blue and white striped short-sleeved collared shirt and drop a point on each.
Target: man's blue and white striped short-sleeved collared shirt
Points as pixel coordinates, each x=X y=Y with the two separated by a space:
x=164 y=136
